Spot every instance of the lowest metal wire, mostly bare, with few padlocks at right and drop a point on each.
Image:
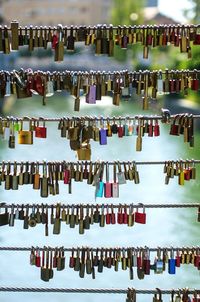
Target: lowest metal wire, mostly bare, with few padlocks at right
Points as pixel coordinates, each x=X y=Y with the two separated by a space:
x=96 y=290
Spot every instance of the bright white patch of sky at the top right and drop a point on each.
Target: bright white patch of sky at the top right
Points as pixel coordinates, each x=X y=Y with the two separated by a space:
x=174 y=8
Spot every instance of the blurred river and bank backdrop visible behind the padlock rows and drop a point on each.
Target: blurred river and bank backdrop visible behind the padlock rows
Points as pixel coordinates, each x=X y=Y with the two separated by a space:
x=164 y=227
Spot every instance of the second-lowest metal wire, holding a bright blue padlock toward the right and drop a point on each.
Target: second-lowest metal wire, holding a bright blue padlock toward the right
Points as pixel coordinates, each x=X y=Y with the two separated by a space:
x=70 y=249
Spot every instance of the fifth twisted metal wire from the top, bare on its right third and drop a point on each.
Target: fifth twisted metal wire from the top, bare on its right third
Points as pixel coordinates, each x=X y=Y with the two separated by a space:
x=89 y=205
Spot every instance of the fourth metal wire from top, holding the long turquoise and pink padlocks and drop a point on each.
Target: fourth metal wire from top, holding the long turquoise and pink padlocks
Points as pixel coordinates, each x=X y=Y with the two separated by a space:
x=193 y=161
